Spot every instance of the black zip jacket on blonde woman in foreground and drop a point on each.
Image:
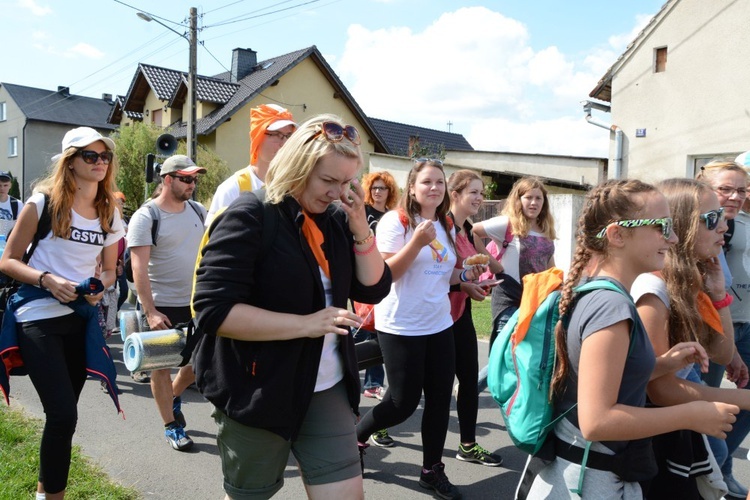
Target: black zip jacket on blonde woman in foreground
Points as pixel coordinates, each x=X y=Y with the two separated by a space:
x=269 y=384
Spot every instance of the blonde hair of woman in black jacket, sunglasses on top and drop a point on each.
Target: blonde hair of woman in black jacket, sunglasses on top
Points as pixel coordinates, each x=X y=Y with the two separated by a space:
x=291 y=167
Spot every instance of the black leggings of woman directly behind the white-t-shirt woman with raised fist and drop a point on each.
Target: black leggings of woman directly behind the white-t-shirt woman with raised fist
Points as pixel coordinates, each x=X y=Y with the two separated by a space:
x=467 y=372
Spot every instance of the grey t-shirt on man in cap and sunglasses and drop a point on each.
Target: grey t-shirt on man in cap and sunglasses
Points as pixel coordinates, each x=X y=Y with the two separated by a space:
x=172 y=263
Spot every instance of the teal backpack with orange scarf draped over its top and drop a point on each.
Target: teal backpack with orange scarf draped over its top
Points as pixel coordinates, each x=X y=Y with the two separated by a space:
x=522 y=361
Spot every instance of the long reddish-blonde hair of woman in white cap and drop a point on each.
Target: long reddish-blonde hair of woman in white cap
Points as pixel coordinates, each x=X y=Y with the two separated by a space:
x=60 y=186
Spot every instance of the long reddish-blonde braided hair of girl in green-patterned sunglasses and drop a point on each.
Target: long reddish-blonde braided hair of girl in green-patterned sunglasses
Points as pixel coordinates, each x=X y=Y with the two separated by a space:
x=609 y=202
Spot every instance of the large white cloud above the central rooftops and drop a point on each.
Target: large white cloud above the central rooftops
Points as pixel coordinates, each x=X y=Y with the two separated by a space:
x=475 y=68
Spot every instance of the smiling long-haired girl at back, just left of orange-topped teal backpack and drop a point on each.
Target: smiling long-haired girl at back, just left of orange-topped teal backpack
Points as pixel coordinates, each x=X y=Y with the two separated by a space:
x=524 y=234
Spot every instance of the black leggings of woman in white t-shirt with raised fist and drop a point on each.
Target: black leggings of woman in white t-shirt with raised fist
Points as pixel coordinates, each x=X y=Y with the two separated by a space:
x=414 y=364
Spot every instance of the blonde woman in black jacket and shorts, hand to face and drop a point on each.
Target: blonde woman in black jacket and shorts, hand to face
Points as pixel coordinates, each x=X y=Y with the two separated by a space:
x=276 y=358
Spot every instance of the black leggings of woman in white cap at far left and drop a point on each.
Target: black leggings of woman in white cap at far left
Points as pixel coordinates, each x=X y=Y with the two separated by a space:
x=54 y=353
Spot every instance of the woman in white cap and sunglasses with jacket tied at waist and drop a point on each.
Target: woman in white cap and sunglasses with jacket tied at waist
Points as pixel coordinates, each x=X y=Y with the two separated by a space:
x=55 y=328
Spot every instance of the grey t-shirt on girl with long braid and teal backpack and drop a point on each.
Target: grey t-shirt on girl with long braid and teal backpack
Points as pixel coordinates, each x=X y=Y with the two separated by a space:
x=593 y=312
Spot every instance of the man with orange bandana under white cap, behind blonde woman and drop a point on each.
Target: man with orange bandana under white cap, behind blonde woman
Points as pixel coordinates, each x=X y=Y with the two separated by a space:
x=270 y=127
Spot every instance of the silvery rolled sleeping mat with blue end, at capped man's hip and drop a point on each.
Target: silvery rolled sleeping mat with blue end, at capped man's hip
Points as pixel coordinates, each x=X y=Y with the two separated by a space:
x=155 y=350
